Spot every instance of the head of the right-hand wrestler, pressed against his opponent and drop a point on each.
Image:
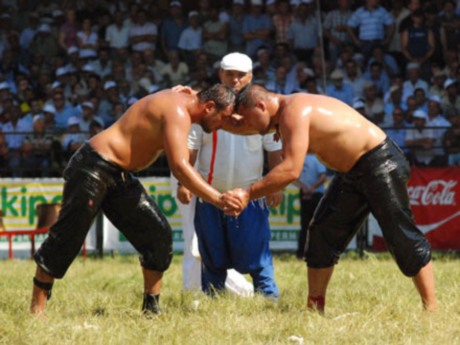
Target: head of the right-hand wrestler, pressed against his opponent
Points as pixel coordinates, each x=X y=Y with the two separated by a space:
x=252 y=112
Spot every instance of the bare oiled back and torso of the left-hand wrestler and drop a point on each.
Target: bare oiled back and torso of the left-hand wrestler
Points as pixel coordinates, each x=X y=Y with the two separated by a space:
x=136 y=140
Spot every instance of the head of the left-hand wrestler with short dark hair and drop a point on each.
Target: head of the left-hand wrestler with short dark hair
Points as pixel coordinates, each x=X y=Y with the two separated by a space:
x=218 y=101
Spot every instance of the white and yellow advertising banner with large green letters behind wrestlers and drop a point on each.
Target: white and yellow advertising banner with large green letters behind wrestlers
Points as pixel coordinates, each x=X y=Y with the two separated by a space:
x=19 y=198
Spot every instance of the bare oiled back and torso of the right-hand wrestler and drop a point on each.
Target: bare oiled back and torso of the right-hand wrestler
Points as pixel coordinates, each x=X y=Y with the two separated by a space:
x=338 y=135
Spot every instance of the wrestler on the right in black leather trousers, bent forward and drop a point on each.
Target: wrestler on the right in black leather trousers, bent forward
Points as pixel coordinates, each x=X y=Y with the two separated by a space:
x=371 y=176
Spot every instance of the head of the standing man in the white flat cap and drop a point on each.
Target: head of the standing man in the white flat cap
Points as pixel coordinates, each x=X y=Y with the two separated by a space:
x=235 y=70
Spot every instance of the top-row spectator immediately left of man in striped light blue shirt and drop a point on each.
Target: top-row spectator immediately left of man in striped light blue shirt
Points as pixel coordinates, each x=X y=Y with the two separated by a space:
x=335 y=29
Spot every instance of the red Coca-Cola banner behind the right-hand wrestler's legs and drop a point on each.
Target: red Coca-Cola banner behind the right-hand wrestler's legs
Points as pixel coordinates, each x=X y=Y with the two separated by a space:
x=435 y=201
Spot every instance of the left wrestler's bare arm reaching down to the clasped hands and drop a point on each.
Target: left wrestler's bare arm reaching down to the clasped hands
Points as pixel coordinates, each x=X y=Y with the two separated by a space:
x=175 y=131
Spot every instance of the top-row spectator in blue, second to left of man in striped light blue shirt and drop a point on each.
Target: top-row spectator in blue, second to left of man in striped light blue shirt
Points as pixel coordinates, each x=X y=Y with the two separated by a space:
x=303 y=33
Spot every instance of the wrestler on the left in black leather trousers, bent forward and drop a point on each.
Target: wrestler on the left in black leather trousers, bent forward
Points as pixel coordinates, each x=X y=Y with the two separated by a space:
x=99 y=177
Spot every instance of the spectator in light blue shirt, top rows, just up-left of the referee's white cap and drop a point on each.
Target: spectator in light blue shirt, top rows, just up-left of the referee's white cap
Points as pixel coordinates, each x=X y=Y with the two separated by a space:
x=190 y=41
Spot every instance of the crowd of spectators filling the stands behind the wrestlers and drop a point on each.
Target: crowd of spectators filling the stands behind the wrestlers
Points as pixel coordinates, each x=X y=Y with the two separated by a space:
x=71 y=68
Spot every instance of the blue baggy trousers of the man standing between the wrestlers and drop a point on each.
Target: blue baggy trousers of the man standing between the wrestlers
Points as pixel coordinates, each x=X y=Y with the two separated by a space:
x=239 y=242
